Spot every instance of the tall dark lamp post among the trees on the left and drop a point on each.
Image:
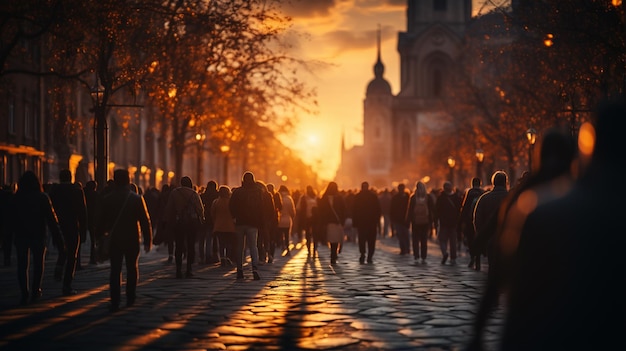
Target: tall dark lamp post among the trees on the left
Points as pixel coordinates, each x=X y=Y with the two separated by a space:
x=101 y=142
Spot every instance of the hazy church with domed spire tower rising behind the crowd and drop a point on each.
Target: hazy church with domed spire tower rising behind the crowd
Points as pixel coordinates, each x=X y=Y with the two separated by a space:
x=394 y=126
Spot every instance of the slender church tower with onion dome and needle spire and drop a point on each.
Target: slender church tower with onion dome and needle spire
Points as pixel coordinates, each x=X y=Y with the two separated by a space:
x=377 y=124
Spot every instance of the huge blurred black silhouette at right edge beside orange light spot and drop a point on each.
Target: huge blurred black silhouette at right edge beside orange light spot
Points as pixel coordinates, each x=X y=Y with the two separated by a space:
x=569 y=282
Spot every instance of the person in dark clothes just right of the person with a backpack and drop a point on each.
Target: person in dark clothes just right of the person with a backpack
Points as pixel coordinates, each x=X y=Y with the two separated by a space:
x=447 y=215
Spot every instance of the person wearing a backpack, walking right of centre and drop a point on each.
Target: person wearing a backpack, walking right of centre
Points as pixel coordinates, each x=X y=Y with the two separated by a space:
x=421 y=210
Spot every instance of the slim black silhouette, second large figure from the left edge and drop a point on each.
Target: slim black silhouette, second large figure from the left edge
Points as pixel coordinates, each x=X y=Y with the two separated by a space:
x=69 y=204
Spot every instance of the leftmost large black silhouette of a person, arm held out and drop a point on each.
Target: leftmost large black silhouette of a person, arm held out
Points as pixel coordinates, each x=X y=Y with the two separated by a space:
x=31 y=212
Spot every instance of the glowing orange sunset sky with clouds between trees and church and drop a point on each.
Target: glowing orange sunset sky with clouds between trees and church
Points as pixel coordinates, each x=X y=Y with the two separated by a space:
x=342 y=33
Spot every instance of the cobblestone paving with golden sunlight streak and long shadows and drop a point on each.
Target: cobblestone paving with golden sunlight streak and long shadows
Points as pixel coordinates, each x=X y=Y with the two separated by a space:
x=300 y=303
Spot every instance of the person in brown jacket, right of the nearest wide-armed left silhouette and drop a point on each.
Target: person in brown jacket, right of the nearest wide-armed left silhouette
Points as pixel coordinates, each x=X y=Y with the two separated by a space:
x=186 y=213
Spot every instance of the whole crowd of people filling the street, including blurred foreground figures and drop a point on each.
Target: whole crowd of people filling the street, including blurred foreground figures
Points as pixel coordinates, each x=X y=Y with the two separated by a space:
x=521 y=229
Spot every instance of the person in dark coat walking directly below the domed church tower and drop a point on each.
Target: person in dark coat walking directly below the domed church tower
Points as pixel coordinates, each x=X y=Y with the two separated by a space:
x=366 y=214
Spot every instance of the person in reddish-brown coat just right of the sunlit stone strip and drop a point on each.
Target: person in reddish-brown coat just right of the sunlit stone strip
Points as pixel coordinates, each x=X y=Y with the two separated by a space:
x=332 y=213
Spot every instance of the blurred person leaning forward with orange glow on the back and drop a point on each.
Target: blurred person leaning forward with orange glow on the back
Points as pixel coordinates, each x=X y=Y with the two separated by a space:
x=551 y=180
